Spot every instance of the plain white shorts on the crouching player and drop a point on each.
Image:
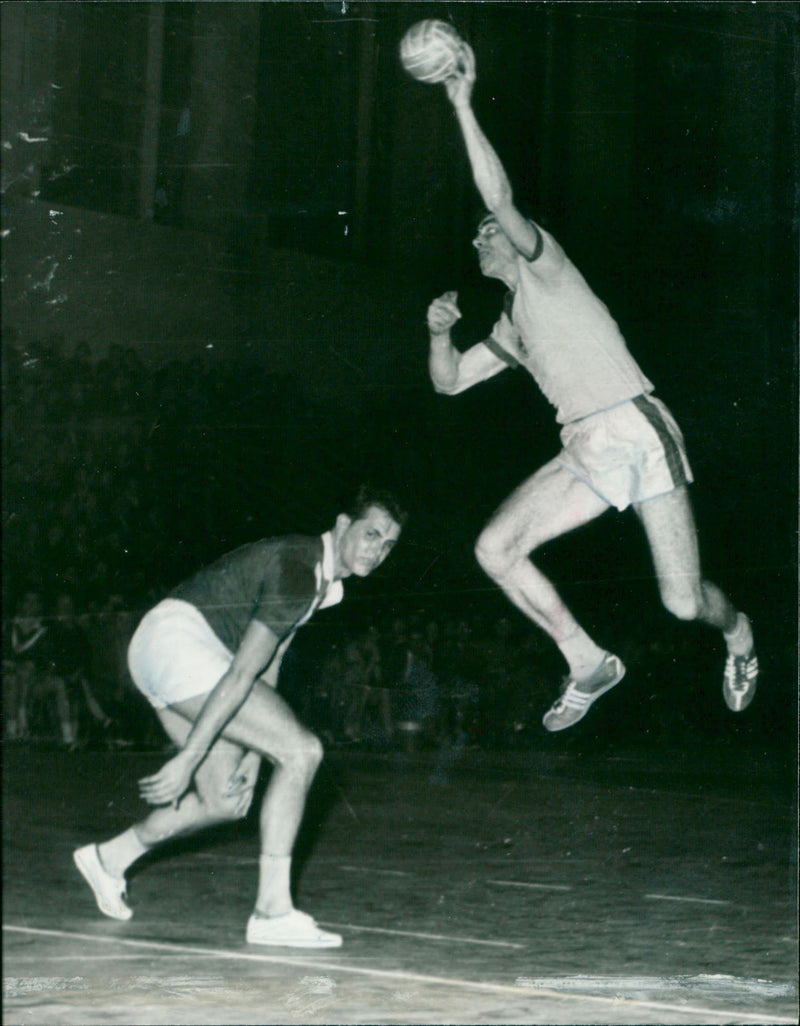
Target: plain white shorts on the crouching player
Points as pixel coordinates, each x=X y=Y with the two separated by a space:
x=175 y=655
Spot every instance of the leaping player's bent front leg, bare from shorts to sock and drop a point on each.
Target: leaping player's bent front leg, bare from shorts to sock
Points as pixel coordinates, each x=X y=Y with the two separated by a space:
x=551 y=503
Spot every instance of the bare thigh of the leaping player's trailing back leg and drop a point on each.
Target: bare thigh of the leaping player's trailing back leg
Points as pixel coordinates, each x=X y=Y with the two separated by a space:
x=669 y=524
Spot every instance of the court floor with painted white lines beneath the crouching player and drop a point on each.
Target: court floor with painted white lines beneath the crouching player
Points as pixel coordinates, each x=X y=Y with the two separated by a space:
x=548 y=886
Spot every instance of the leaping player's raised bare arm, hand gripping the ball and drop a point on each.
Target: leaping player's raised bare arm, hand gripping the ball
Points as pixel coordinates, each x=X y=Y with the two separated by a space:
x=489 y=174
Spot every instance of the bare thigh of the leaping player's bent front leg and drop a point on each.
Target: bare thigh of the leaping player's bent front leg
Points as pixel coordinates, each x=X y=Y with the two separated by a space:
x=549 y=504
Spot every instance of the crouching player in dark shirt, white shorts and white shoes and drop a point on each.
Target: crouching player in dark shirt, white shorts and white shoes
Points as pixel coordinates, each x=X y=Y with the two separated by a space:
x=208 y=659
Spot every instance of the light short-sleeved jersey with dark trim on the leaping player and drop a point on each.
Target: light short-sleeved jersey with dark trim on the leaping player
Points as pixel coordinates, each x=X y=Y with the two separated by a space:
x=565 y=336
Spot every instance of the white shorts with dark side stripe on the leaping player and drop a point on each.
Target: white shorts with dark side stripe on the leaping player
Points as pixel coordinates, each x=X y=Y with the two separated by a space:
x=629 y=454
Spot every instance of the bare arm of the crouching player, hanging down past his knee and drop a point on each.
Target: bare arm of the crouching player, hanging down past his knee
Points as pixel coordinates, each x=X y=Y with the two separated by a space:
x=256 y=652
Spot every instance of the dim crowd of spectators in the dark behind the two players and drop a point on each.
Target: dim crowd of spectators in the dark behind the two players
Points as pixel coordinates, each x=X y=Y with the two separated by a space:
x=103 y=466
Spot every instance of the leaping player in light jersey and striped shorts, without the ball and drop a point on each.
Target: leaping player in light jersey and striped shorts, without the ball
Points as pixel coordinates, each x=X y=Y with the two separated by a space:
x=621 y=446
